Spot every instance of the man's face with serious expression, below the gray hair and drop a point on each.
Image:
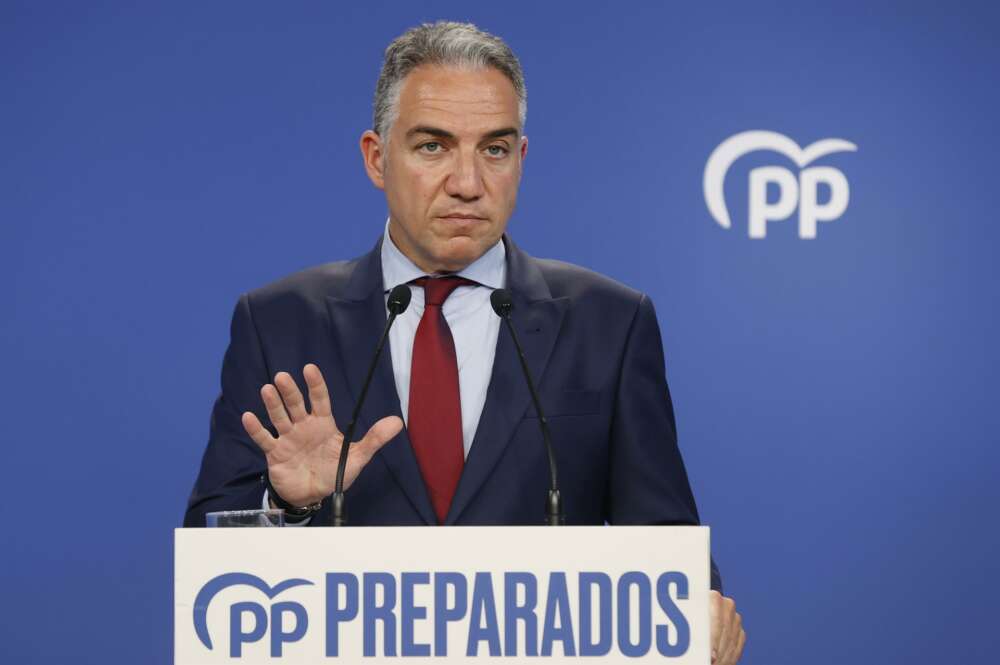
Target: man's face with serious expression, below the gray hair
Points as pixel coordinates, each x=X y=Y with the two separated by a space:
x=452 y=165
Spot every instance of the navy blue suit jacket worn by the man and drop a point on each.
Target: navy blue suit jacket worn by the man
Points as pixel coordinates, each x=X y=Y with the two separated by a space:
x=593 y=346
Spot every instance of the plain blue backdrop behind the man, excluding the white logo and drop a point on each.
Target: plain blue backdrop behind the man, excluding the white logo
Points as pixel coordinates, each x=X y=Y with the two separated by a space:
x=835 y=396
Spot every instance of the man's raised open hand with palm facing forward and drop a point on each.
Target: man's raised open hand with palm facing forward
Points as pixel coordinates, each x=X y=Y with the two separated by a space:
x=302 y=460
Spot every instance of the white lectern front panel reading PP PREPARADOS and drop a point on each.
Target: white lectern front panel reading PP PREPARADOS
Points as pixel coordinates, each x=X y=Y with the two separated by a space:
x=599 y=594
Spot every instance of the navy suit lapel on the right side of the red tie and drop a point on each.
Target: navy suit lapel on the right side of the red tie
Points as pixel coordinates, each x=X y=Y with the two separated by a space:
x=537 y=317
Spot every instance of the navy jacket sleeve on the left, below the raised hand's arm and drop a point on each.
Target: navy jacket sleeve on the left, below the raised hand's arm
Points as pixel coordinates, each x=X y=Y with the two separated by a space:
x=231 y=469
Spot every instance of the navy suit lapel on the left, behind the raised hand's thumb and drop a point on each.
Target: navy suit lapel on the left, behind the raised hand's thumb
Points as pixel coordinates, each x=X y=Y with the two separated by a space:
x=357 y=320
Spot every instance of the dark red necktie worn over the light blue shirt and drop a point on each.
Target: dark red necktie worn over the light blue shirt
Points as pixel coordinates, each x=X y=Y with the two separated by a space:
x=435 y=410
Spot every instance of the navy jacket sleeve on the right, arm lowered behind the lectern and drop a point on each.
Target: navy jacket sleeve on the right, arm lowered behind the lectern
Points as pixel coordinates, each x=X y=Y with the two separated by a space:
x=648 y=481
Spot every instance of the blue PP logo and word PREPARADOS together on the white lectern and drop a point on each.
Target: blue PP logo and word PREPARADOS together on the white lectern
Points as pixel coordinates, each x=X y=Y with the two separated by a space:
x=425 y=612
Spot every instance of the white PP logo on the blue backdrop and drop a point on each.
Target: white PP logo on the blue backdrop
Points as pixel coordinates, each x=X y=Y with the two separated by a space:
x=794 y=192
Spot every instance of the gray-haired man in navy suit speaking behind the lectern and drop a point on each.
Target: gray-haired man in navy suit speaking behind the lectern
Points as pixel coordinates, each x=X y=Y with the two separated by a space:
x=448 y=148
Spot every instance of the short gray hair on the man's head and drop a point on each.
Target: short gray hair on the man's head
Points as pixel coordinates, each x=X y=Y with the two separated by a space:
x=443 y=43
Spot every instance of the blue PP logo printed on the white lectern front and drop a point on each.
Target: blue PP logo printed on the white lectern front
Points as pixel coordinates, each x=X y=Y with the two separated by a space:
x=288 y=620
